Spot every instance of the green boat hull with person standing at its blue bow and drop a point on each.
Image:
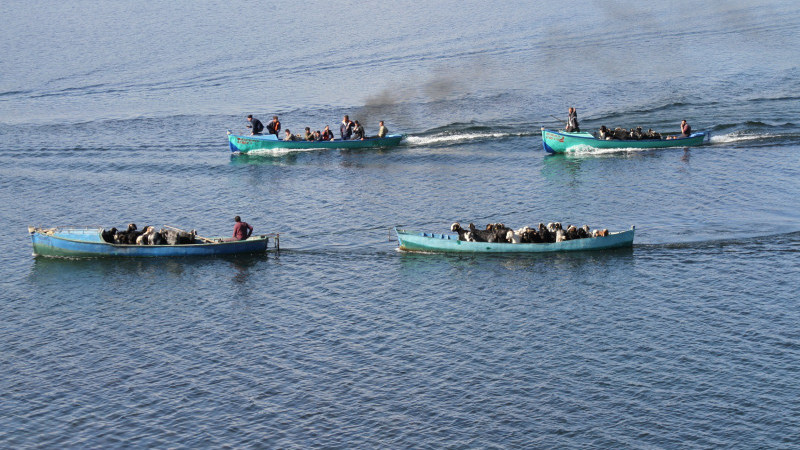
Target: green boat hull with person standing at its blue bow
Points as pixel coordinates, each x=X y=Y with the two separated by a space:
x=561 y=142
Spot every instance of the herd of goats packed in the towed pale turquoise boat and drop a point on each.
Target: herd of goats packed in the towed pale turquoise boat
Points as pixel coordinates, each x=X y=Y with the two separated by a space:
x=552 y=232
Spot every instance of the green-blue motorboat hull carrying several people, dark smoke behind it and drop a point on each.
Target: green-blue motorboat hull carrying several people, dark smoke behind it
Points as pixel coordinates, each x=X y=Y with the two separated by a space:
x=270 y=142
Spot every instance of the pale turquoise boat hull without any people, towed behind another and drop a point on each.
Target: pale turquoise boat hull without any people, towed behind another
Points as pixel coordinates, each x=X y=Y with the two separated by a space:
x=431 y=242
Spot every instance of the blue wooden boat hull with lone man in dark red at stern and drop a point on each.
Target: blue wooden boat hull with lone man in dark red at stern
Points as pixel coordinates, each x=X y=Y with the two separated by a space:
x=84 y=242
